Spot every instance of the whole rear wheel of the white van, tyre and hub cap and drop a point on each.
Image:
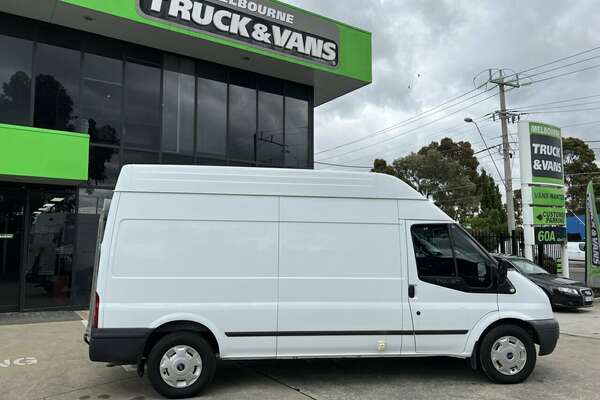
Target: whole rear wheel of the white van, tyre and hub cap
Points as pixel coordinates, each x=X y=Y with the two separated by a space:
x=181 y=365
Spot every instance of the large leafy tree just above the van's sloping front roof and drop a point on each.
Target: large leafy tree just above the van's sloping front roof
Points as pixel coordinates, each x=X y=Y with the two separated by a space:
x=440 y=178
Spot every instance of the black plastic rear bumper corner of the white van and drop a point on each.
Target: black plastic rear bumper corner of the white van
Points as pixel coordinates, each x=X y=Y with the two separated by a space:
x=117 y=346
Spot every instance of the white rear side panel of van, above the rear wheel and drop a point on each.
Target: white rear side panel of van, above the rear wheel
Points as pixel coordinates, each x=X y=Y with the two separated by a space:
x=206 y=258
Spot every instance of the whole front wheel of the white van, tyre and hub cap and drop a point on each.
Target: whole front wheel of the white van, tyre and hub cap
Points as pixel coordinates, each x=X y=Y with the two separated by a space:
x=507 y=354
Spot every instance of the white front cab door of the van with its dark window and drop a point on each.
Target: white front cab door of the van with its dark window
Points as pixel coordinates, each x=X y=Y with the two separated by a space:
x=452 y=286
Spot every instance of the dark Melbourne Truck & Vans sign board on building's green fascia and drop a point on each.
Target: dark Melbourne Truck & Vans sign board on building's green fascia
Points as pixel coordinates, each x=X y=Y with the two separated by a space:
x=259 y=23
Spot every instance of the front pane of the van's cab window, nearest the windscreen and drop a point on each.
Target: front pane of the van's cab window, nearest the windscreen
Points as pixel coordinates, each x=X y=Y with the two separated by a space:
x=473 y=265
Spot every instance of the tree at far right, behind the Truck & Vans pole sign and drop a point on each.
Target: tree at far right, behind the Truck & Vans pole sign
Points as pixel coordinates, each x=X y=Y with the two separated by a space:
x=580 y=167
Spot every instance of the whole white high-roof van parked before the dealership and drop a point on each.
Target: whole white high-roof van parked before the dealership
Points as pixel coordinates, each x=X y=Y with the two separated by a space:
x=200 y=263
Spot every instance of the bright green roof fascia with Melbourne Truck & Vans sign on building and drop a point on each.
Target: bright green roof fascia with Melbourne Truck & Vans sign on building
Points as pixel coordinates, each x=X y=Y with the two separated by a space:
x=353 y=46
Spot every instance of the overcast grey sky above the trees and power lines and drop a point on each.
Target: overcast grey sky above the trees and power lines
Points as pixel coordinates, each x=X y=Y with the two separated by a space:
x=428 y=51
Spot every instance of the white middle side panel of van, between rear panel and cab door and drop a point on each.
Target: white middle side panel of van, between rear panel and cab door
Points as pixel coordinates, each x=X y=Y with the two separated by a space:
x=340 y=278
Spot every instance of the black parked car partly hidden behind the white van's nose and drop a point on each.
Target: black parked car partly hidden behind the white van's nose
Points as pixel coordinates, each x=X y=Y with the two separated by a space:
x=562 y=292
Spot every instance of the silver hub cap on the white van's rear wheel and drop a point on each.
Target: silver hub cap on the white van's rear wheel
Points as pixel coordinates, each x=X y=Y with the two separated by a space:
x=181 y=366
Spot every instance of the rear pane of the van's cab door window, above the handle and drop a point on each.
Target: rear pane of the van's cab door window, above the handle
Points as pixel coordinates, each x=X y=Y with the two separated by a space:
x=433 y=251
